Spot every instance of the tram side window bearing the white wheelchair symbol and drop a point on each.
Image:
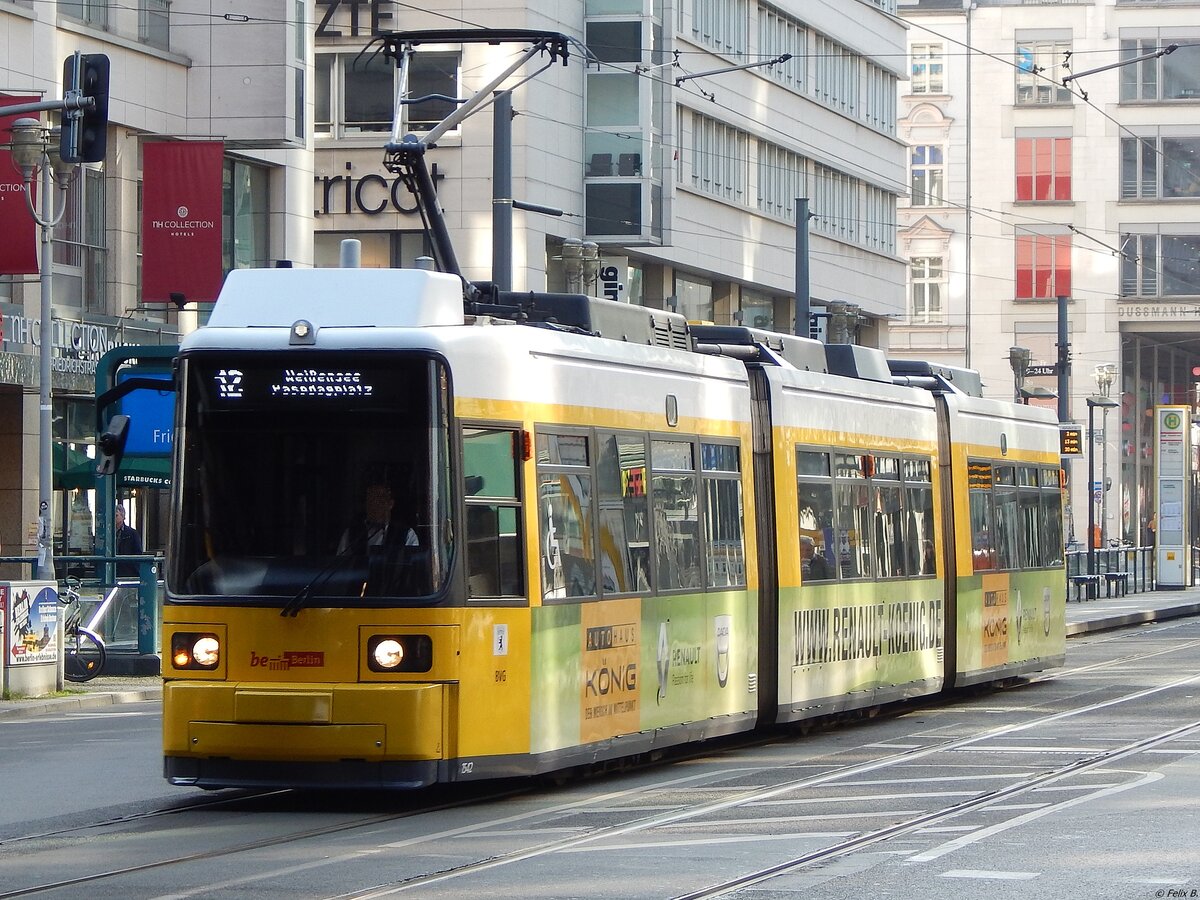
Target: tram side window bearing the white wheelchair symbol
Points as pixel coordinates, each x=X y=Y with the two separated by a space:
x=565 y=518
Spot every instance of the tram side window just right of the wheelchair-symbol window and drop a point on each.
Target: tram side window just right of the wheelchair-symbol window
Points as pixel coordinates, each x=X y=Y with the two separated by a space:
x=625 y=514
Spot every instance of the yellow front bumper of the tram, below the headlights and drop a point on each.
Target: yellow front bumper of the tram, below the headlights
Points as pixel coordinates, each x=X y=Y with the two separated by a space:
x=309 y=723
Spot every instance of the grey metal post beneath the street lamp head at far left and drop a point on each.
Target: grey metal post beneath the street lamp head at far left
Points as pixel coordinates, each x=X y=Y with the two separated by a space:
x=45 y=567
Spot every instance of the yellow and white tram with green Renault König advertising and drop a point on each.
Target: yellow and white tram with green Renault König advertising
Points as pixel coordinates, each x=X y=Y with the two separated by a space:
x=601 y=536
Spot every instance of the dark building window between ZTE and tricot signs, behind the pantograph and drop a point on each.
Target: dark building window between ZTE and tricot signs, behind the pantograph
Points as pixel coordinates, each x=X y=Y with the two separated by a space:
x=357 y=97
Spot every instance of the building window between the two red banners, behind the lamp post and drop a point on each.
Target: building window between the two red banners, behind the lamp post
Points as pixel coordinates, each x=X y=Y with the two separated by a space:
x=80 y=245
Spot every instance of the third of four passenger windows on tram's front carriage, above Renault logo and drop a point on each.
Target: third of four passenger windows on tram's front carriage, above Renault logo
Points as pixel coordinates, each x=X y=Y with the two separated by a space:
x=675 y=496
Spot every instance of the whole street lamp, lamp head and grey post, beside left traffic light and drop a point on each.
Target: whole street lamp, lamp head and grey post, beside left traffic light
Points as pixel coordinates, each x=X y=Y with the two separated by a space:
x=35 y=148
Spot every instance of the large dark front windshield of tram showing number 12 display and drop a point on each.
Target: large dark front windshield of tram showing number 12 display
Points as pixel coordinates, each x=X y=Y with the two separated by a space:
x=313 y=478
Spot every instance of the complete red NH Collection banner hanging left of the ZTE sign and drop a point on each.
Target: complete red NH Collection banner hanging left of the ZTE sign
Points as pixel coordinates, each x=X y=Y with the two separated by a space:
x=182 y=221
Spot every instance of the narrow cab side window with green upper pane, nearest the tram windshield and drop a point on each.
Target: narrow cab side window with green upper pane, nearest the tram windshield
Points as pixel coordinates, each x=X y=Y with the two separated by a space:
x=494 y=521
